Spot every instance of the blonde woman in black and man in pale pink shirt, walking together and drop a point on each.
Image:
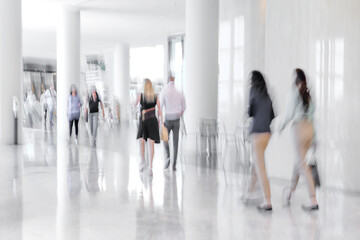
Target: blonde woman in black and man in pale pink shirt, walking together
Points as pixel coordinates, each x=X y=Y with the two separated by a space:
x=173 y=103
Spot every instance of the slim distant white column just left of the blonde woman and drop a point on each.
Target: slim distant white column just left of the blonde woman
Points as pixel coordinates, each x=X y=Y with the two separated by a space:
x=122 y=78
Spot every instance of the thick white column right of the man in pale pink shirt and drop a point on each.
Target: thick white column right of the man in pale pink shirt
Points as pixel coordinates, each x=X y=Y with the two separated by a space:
x=201 y=59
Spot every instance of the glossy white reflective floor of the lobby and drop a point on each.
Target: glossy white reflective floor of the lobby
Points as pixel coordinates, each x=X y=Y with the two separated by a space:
x=99 y=194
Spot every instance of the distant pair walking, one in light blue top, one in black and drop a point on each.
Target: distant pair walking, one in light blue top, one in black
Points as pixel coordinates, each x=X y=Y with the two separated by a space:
x=91 y=113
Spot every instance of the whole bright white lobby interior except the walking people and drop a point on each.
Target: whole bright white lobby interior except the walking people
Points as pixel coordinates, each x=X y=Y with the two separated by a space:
x=55 y=188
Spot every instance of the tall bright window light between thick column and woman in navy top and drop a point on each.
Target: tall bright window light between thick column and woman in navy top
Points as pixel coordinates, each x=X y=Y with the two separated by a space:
x=231 y=92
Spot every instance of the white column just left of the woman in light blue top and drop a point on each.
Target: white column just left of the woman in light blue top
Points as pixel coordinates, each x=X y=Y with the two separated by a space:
x=68 y=64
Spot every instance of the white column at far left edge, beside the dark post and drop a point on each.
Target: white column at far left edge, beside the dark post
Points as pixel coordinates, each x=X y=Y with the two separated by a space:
x=10 y=68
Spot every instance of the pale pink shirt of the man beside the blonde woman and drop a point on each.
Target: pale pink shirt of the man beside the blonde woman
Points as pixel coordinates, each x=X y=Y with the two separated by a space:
x=173 y=101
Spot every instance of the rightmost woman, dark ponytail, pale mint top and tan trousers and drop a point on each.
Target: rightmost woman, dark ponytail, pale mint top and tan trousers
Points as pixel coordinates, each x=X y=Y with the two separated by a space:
x=301 y=110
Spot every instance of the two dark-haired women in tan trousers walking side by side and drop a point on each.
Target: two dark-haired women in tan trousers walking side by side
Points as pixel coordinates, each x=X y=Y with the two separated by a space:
x=300 y=111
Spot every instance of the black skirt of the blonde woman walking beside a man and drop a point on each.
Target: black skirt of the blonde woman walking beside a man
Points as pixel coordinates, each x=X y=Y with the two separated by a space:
x=149 y=129
